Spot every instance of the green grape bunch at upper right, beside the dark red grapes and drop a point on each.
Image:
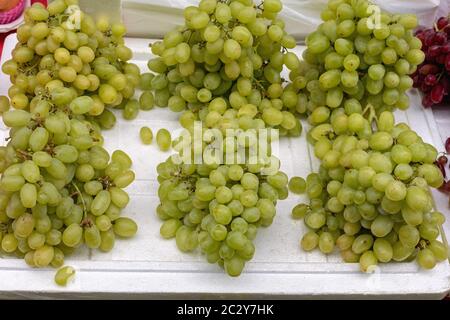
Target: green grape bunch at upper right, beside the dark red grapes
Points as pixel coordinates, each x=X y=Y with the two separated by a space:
x=358 y=55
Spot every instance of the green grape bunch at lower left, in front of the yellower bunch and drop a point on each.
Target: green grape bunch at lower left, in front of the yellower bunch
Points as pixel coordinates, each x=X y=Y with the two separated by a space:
x=59 y=188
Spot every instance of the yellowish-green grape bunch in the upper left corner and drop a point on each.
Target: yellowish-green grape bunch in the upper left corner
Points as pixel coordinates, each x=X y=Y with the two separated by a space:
x=89 y=59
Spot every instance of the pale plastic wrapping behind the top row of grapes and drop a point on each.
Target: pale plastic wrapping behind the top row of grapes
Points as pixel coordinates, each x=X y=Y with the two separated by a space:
x=152 y=18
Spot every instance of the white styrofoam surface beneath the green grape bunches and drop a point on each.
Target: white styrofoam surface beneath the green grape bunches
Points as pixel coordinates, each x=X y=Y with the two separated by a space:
x=150 y=266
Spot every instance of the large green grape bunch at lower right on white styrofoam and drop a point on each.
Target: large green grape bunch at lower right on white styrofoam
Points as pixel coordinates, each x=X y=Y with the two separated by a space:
x=371 y=197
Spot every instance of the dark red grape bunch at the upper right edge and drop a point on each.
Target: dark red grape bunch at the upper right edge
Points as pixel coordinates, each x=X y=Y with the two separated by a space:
x=433 y=76
